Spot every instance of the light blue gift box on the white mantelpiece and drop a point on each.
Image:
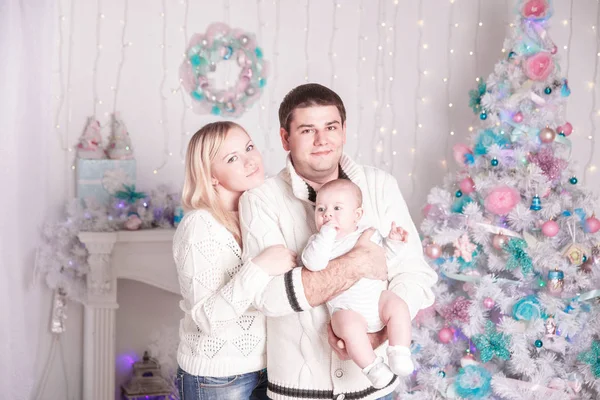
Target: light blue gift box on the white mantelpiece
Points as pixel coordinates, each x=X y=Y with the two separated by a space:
x=90 y=174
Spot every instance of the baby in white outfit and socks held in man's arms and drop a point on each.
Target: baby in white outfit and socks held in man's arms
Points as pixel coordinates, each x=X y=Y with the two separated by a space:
x=366 y=306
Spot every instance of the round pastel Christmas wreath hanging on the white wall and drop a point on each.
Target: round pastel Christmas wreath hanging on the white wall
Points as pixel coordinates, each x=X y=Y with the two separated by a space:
x=204 y=52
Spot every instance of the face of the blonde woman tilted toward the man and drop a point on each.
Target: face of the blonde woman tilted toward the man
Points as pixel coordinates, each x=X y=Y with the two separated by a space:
x=238 y=165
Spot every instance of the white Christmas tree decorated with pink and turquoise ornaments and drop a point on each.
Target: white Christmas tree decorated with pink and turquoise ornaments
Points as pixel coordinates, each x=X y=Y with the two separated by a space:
x=514 y=239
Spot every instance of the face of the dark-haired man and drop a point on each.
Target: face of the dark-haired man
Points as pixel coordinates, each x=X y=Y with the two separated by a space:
x=315 y=141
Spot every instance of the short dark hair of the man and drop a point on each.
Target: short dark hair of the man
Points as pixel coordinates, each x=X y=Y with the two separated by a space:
x=308 y=95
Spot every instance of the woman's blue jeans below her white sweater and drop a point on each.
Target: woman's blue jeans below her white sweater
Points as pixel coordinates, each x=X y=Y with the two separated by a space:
x=252 y=386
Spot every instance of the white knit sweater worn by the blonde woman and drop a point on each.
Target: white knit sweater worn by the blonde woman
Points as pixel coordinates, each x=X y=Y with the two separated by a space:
x=221 y=334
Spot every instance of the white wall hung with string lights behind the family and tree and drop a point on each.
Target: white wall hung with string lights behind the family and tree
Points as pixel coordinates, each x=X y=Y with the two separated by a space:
x=285 y=45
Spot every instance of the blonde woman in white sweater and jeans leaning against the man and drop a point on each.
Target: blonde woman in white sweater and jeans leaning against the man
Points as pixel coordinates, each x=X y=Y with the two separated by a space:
x=221 y=352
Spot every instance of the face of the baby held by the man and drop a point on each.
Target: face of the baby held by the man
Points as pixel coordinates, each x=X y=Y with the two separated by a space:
x=339 y=208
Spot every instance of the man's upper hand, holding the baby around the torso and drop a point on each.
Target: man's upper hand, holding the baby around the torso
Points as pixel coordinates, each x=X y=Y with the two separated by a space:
x=367 y=258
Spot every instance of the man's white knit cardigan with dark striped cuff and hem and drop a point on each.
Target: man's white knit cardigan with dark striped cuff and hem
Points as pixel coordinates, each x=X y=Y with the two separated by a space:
x=300 y=362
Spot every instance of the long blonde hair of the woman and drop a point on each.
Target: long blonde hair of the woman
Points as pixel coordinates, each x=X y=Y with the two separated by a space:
x=198 y=190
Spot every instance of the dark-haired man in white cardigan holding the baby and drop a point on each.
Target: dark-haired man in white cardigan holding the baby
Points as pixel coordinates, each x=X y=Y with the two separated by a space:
x=303 y=358
